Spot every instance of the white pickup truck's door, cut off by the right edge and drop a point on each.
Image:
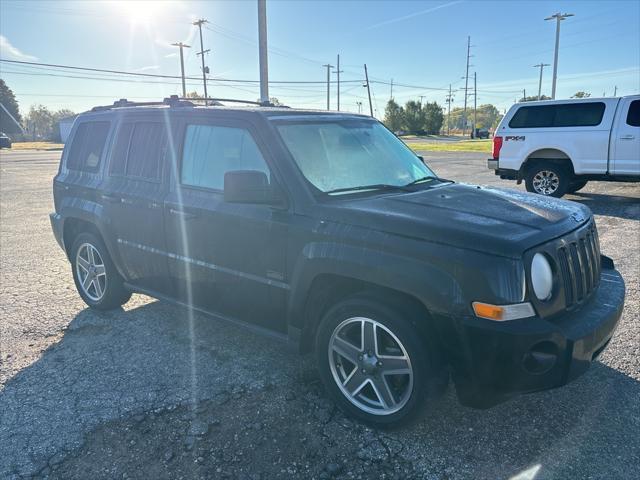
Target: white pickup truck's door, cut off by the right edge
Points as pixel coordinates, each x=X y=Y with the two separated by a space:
x=625 y=138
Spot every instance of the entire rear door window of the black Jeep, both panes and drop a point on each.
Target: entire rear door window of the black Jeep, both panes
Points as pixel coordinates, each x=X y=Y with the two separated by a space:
x=139 y=150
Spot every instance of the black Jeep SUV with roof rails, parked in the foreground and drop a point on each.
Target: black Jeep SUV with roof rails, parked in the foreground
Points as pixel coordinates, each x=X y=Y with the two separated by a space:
x=325 y=230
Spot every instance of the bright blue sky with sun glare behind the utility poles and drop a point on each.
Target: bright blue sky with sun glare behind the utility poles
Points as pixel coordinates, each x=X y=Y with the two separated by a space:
x=418 y=44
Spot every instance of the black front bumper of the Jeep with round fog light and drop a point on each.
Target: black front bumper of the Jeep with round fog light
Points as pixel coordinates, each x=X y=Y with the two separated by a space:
x=497 y=360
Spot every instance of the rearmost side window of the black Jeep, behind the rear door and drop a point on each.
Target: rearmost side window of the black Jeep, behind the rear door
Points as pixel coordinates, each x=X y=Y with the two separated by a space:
x=87 y=146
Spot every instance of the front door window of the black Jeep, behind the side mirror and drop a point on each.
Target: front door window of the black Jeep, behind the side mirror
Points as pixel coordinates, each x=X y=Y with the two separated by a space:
x=210 y=151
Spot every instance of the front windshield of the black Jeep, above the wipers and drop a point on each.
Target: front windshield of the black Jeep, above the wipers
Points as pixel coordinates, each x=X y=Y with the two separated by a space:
x=351 y=154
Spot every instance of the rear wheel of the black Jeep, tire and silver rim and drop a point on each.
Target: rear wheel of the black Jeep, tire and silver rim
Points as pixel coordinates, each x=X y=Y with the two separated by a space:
x=96 y=278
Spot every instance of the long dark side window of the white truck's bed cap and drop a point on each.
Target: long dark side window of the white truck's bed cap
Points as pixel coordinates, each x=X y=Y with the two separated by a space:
x=563 y=115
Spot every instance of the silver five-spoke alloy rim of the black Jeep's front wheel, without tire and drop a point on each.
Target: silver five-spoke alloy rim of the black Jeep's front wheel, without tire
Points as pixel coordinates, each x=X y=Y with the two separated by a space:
x=370 y=366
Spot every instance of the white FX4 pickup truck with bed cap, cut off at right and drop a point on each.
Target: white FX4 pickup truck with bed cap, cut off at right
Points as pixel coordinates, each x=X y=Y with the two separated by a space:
x=557 y=146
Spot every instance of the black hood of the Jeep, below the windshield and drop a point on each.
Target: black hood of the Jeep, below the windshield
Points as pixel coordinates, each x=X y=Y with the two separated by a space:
x=500 y=221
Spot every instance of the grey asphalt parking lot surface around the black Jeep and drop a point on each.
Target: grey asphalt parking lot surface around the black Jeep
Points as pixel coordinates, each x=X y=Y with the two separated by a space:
x=148 y=392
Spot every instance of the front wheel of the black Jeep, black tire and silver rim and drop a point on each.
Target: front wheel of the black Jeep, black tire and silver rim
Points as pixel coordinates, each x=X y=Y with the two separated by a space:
x=374 y=362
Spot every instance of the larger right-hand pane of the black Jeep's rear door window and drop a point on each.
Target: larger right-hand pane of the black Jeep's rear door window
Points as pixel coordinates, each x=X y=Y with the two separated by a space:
x=145 y=151
